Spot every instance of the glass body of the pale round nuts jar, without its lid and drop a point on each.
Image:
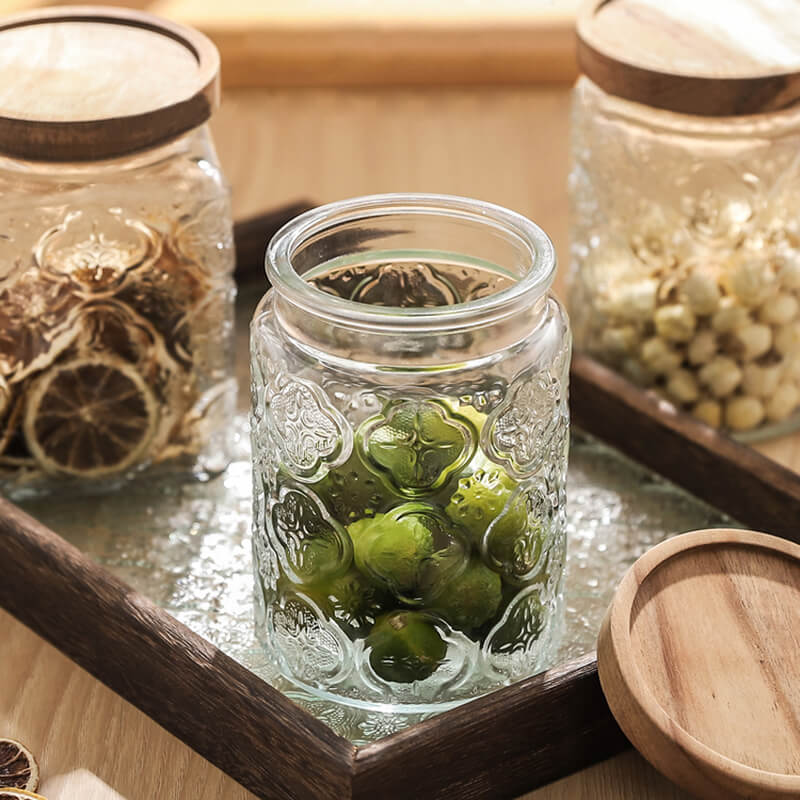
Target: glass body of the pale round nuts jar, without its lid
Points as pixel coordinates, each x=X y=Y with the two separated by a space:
x=685 y=255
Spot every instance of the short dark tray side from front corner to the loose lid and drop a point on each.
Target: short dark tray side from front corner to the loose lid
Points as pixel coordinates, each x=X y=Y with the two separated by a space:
x=496 y=746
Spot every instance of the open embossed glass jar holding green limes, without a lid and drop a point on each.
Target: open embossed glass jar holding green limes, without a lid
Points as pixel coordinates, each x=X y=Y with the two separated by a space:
x=410 y=435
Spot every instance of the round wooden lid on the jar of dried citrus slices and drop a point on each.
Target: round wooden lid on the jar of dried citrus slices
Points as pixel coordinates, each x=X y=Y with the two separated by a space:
x=81 y=83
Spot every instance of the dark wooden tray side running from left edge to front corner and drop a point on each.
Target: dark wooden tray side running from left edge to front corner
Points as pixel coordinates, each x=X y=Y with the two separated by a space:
x=215 y=705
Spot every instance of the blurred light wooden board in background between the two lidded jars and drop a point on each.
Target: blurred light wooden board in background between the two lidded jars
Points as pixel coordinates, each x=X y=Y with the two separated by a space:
x=394 y=42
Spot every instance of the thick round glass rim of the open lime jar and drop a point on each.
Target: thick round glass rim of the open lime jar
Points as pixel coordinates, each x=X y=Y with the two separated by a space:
x=525 y=290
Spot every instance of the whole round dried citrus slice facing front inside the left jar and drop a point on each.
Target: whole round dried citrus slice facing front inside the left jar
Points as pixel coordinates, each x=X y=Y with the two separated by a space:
x=90 y=418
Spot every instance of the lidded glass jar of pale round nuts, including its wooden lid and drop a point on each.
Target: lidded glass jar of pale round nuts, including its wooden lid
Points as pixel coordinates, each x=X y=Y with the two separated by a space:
x=685 y=192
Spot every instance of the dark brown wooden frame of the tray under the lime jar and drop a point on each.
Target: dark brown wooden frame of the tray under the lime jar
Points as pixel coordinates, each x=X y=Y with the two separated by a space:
x=500 y=745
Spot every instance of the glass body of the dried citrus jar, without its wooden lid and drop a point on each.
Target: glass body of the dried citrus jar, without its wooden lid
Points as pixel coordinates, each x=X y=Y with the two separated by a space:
x=116 y=301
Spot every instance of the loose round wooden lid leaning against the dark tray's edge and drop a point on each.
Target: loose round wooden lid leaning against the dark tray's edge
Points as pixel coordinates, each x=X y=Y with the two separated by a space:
x=699 y=659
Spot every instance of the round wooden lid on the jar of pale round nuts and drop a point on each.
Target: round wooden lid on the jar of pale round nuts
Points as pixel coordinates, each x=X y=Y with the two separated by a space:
x=695 y=57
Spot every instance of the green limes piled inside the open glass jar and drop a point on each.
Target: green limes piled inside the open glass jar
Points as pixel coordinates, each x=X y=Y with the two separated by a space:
x=455 y=556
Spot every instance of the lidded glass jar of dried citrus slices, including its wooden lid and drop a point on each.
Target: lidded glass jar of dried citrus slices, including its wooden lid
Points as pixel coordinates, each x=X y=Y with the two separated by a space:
x=116 y=257
